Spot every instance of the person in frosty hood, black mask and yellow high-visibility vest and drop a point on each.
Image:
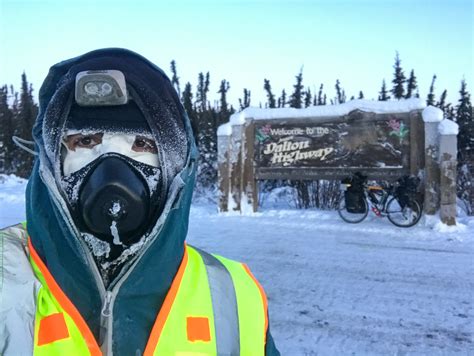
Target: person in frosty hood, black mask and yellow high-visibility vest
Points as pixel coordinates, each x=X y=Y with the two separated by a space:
x=101 y=266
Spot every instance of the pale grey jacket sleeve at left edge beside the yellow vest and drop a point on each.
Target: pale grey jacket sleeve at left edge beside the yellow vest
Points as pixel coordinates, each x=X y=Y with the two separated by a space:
x=18 y=294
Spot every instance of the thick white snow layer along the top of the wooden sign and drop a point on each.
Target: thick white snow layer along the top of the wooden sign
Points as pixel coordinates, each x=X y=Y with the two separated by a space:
x=379 y=107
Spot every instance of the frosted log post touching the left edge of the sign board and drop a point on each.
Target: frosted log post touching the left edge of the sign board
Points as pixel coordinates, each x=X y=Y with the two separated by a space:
x=249 y=202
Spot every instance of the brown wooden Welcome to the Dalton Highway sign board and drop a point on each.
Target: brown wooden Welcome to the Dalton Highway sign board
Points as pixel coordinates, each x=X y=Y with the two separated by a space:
x=377 y=145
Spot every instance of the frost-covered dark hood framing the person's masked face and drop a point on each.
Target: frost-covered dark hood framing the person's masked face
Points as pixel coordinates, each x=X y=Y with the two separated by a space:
x=156 y=98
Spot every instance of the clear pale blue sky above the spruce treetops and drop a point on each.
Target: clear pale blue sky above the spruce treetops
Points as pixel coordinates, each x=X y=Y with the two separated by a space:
x=247 y=41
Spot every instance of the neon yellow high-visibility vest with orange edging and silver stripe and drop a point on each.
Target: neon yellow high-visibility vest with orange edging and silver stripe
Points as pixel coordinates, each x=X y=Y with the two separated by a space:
x=214 y=307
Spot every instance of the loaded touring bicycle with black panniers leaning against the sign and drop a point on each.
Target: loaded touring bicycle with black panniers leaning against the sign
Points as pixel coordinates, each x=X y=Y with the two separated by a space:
x=396 y=202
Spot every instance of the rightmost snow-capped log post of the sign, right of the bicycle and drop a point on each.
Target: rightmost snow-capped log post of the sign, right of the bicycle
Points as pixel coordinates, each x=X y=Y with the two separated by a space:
x=448 y=131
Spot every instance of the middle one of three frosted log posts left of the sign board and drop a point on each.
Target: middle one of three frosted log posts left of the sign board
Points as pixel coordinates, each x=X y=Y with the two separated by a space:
x=235 y=168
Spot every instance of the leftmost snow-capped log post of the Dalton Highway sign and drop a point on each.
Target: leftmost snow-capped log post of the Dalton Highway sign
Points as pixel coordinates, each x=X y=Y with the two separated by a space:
x=223 y=179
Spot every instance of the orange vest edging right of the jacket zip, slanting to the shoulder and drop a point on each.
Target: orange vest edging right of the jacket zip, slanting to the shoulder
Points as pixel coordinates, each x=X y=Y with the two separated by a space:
x=166 y=307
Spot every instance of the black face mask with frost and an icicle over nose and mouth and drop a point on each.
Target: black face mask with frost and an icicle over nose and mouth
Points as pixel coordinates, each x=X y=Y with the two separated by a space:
x=115 y=198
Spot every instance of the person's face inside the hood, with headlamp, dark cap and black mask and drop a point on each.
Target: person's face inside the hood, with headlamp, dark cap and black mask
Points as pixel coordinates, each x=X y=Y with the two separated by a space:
x=111 y=174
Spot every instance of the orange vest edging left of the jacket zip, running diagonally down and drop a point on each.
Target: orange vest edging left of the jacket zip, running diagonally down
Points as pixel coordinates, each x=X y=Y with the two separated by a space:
x=66 y=304
